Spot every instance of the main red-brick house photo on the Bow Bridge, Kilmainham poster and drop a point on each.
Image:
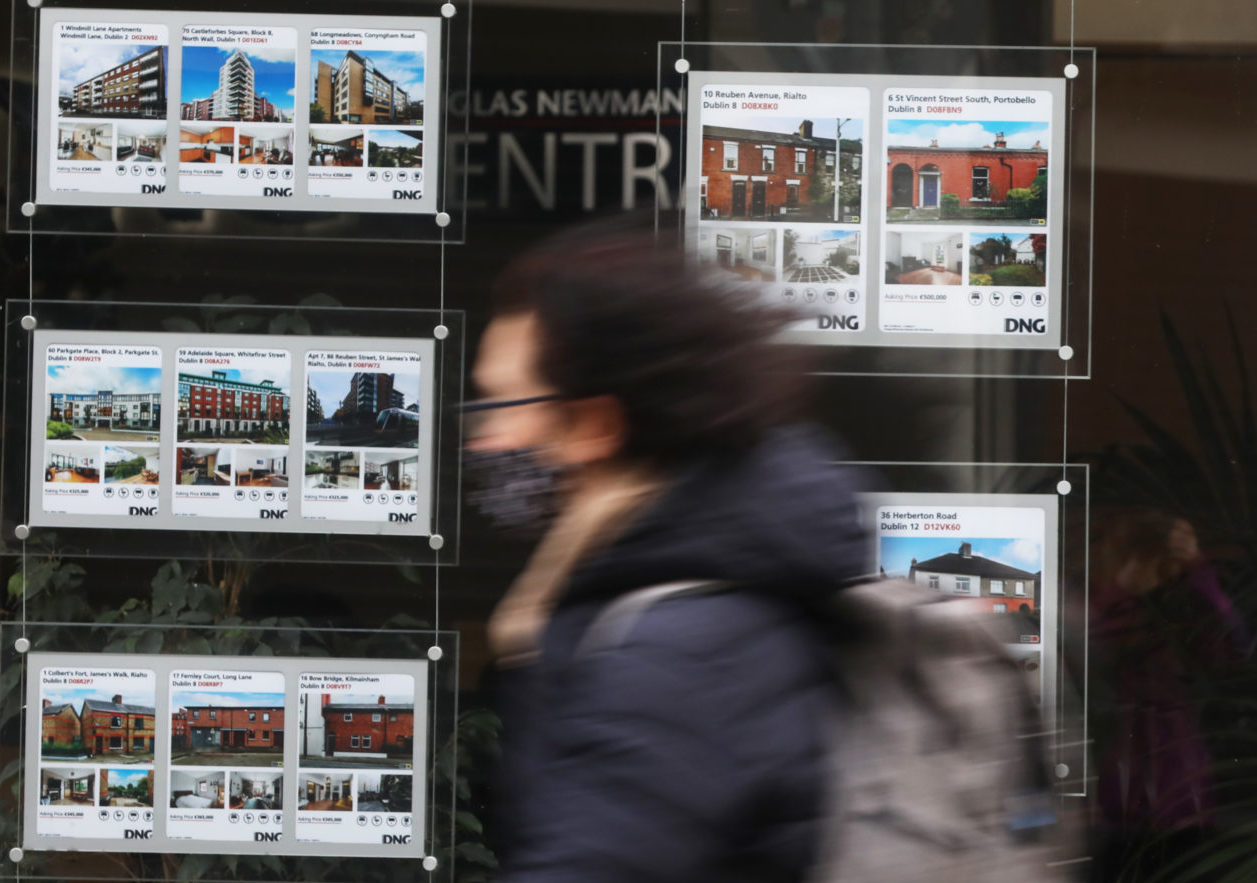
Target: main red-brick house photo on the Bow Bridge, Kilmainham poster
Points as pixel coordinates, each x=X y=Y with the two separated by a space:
x=359 y=730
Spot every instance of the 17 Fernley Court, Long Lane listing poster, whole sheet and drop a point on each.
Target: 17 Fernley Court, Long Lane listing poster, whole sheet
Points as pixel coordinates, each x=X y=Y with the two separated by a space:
x=227 y=757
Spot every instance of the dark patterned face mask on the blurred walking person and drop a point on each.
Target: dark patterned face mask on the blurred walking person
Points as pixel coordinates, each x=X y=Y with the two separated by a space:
x=515 y=490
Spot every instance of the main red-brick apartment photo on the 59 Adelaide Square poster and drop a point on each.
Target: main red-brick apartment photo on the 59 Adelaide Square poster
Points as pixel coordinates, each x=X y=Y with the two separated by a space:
x=241 y=404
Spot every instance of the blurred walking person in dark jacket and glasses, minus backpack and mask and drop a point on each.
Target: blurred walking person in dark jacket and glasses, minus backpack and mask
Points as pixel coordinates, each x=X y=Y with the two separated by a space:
x=691 y=749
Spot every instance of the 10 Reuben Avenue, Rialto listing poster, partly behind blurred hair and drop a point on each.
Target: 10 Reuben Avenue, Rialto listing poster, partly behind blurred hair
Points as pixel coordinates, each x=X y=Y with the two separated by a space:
x=782 y=196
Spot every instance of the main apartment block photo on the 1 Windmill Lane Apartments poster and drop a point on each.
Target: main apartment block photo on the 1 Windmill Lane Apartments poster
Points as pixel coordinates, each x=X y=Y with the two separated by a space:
x=109 y=80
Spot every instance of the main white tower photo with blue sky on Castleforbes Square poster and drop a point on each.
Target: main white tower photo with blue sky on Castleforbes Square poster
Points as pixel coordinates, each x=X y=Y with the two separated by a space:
x=234 y=85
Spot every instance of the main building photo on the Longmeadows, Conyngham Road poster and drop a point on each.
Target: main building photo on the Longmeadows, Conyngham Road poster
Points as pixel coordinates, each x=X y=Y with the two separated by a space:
x=376 y=87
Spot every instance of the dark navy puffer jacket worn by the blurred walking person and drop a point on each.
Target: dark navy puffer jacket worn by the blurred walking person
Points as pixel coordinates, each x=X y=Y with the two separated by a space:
x=691 y=752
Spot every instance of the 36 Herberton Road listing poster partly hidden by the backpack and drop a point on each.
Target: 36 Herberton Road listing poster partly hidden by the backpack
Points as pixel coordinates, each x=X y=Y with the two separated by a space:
x=996 y=552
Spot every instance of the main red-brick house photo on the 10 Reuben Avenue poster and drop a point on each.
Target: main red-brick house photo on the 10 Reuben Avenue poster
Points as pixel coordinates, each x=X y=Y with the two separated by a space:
x=782 y=169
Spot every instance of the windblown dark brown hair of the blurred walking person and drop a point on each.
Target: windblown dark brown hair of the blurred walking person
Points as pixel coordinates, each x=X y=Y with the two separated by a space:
x=689 y=354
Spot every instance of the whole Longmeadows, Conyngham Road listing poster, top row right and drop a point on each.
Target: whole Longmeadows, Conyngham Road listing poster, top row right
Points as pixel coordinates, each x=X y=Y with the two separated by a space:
x=366 y=134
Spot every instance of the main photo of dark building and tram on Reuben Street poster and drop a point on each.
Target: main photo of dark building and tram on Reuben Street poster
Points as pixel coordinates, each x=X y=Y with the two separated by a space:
x=361 y=409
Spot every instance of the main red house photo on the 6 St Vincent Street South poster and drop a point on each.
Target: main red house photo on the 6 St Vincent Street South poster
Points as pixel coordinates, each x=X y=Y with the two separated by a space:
x=981 y=173
